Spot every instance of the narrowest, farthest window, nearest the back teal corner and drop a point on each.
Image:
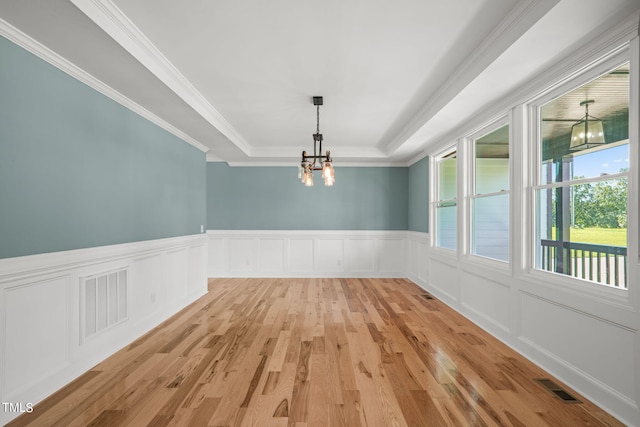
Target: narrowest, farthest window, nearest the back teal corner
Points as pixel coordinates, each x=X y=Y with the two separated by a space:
x=445 y=204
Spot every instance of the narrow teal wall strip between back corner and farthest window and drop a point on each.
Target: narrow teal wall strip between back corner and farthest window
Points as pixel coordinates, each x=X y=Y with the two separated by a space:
x=419 y=196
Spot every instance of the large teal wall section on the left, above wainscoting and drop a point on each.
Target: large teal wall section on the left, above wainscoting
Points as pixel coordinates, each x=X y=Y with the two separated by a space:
x=78 y=170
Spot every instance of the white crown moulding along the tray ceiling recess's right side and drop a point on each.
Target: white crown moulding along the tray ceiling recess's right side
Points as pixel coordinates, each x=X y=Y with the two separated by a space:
x=520 y=19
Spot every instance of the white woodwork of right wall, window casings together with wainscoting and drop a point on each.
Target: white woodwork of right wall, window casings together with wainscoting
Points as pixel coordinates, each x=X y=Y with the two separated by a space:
x=584 y=314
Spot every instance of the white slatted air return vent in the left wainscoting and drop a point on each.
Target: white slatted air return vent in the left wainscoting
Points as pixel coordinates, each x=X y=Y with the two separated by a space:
x=103 y=301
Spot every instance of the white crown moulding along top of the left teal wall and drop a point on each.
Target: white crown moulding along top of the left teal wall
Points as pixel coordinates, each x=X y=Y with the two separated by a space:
x=16 y=36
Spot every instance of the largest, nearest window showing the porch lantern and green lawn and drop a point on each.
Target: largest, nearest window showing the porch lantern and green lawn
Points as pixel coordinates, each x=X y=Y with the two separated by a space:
x=581 y=191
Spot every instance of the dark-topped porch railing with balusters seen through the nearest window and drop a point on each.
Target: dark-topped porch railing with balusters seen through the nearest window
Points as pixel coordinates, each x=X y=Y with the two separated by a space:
x=599 y=263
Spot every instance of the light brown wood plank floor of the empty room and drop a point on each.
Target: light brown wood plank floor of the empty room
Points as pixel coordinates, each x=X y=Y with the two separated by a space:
x=314 y=352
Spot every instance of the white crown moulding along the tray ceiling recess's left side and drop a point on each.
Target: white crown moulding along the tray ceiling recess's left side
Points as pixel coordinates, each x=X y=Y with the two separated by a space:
x=119 y=27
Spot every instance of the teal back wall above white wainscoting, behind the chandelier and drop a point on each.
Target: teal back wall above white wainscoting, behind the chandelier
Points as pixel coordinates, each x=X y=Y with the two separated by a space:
x=272 y=198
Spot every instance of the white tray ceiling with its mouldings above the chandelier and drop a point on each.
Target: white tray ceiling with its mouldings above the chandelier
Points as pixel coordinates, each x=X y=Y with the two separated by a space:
x=236 y=77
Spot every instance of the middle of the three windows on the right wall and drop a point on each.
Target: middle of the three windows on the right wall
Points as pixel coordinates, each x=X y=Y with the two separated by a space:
x=489 y=201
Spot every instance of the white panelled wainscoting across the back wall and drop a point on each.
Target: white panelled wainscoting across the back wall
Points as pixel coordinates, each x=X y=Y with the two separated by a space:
x=284 y=253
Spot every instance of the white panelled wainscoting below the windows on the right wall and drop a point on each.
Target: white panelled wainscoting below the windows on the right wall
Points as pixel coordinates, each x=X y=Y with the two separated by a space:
x=591 y=343
